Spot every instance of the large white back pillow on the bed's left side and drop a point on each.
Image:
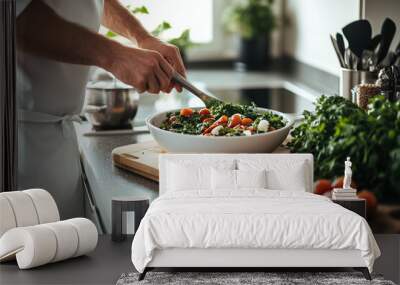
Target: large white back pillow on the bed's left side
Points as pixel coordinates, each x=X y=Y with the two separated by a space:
x=191 y=175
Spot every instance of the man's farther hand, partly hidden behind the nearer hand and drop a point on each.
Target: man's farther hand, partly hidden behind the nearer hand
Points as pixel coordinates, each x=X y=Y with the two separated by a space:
x=169 y=52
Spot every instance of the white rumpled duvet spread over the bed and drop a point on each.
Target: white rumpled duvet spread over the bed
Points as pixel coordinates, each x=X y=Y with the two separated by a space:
x=250 y=219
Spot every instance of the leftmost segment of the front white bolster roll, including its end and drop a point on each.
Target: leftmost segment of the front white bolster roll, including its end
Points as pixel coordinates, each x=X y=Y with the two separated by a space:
x=36 y=245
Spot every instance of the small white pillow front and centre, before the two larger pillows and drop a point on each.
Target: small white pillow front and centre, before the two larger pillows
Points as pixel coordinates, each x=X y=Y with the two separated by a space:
x=237 y=179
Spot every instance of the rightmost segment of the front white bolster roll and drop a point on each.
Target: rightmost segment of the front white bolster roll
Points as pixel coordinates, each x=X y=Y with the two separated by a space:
x=87 y=233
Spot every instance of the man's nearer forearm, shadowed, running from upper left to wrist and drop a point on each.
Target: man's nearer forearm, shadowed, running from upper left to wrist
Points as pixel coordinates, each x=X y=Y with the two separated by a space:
x=42 y=32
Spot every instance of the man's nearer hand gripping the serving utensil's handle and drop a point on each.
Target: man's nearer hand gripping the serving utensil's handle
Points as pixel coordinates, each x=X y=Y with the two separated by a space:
x=146 y=70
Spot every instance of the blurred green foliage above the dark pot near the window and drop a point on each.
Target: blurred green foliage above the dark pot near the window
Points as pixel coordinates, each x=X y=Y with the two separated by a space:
x=251 y=19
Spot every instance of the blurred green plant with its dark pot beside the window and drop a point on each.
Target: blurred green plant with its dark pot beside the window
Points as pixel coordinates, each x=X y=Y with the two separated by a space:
x=254 y=20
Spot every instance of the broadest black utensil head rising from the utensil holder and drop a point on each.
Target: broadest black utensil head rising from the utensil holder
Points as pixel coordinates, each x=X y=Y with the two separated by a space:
x=358 y=35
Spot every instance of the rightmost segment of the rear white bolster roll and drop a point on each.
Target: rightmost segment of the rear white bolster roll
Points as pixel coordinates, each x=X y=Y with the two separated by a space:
x=46 y=207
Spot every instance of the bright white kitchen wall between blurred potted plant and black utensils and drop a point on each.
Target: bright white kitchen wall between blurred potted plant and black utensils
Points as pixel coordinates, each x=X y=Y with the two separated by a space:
x=309 y=23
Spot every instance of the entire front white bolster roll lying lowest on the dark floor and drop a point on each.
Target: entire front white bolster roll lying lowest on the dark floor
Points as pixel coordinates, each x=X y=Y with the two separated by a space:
x=41 y=244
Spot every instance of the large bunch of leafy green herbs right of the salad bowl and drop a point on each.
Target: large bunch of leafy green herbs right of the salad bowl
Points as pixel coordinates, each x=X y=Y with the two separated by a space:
x=338 y=128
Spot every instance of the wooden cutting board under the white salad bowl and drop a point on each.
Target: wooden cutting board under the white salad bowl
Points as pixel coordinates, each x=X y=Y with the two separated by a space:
x=142 y=158
